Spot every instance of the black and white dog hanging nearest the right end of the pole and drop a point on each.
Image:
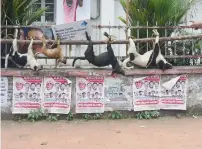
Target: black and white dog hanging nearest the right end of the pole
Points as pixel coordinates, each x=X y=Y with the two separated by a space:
x=150 y=58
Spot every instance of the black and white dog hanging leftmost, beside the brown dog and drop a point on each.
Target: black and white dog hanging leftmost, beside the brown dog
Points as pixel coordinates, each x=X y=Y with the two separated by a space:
x=21 y=60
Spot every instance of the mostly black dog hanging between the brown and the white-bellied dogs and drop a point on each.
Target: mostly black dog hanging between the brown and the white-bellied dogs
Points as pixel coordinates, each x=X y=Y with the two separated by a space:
x=103 y=59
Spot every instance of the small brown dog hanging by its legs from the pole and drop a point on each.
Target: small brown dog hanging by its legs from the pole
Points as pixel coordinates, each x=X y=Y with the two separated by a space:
x=53 y=53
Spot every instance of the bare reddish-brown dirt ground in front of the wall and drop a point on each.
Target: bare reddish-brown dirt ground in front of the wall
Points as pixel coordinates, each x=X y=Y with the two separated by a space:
x=164 y=133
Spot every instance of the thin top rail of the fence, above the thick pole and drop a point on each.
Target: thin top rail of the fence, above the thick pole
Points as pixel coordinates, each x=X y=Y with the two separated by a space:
x=103 y=26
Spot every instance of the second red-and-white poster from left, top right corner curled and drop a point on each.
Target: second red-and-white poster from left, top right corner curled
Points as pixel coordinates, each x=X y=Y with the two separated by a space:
x=57 y=94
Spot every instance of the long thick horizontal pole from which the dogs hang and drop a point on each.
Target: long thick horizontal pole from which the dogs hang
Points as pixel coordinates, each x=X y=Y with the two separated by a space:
x=85 y=42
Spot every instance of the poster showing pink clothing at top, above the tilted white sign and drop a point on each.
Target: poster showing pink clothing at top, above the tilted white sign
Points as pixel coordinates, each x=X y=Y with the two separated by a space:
x=76 y=10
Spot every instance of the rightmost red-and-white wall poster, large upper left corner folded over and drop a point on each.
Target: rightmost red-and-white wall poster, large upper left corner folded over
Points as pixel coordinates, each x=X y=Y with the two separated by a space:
x=174 y=93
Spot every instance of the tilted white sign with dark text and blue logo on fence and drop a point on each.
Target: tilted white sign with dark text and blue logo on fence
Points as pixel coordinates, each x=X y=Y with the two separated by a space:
x=72 y=31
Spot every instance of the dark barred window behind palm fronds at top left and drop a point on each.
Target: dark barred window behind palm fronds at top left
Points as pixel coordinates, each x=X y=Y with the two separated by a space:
x=49 y=15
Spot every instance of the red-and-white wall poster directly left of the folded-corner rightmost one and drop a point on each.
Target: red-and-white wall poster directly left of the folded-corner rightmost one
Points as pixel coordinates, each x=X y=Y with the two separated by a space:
x=146 y=92
